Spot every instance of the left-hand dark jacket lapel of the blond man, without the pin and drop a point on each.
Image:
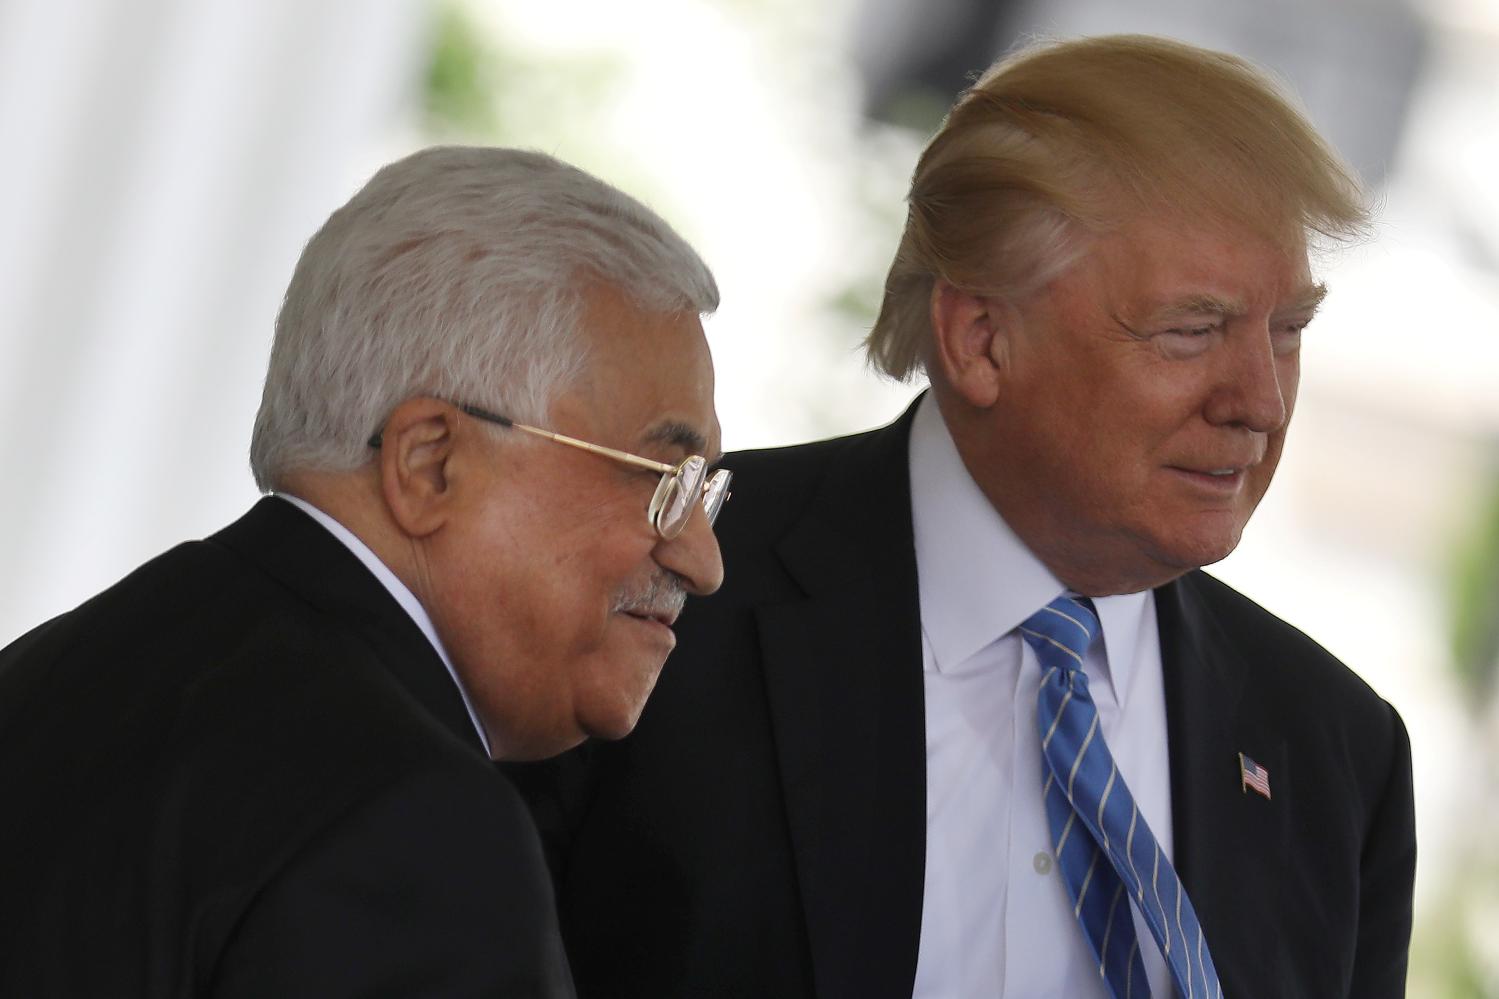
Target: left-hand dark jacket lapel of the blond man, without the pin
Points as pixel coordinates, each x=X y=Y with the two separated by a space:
x=845 y=682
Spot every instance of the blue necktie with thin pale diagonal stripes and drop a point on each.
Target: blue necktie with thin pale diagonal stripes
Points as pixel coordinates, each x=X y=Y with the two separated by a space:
x=1103 y=844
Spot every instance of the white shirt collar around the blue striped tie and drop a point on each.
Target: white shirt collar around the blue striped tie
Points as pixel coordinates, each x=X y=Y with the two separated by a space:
x=977 y=578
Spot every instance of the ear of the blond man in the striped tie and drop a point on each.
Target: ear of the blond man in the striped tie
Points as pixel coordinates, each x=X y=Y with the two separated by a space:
x=971 y=341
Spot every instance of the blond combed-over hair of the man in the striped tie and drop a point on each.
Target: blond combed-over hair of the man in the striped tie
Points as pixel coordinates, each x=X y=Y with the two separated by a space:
x=1073 y=139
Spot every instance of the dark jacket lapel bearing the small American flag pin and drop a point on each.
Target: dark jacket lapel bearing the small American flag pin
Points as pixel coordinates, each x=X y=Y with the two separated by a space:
x=1230 y=844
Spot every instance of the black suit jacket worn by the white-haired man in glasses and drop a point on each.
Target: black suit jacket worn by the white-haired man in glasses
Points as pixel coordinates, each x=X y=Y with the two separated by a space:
x=245 y=772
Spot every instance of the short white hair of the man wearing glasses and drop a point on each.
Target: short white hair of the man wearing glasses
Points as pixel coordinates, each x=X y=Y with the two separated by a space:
x=459 y=274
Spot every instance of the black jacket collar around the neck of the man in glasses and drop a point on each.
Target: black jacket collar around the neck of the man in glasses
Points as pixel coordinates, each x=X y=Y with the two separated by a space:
x=308 y=560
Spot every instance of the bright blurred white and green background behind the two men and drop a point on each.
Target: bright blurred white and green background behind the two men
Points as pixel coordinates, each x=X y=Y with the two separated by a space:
x=164 y=163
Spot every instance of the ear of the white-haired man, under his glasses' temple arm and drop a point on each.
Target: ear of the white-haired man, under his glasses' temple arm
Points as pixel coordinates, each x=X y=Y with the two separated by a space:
x=416 y=451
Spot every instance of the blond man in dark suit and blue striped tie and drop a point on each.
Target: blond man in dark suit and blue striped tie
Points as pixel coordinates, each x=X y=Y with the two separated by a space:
x=969 y=721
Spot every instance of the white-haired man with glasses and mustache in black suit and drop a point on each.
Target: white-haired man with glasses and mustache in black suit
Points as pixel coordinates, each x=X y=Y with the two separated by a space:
x=262 y=764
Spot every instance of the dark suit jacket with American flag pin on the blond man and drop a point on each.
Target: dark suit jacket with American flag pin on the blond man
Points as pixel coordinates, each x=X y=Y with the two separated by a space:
x=762 y=833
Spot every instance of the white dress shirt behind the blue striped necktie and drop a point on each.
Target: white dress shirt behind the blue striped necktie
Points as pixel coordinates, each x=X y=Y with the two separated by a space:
x=996 y=917
